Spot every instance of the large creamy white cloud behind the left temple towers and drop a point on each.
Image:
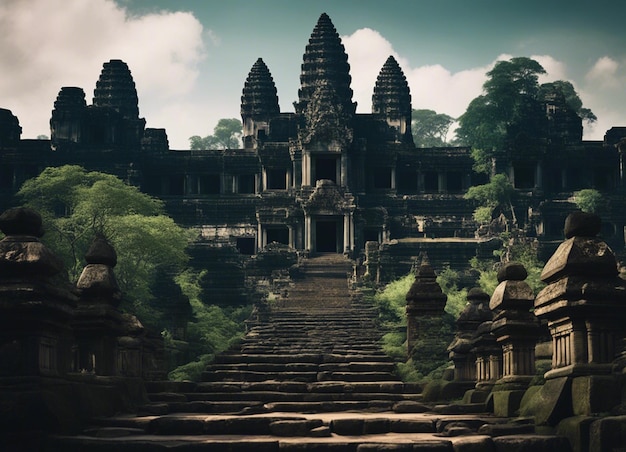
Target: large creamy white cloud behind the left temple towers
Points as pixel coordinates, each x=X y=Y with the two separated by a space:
x=49 y=44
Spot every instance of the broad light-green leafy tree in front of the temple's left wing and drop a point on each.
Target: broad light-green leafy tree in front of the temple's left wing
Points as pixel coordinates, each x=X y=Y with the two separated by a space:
x=76 y=205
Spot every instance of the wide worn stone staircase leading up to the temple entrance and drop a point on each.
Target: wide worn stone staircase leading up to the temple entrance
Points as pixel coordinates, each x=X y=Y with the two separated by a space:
x=311 y=378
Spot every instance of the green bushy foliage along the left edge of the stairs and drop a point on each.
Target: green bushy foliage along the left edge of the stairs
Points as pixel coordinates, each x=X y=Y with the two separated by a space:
x=213 y=329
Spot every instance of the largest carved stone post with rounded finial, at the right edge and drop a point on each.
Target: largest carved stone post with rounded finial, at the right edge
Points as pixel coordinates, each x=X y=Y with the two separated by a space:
x=584 y=304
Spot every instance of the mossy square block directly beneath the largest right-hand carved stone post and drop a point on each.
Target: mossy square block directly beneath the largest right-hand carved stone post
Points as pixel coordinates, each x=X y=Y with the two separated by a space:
x=594 y=394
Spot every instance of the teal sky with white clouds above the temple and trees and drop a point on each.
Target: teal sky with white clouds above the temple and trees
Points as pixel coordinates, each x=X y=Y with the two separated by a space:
x=190 y=58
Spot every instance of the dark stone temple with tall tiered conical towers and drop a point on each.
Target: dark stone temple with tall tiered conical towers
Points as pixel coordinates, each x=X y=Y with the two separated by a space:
x=323 y=179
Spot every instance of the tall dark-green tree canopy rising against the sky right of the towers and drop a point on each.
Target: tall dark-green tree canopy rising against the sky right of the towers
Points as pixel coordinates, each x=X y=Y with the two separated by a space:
x=512 y=107
